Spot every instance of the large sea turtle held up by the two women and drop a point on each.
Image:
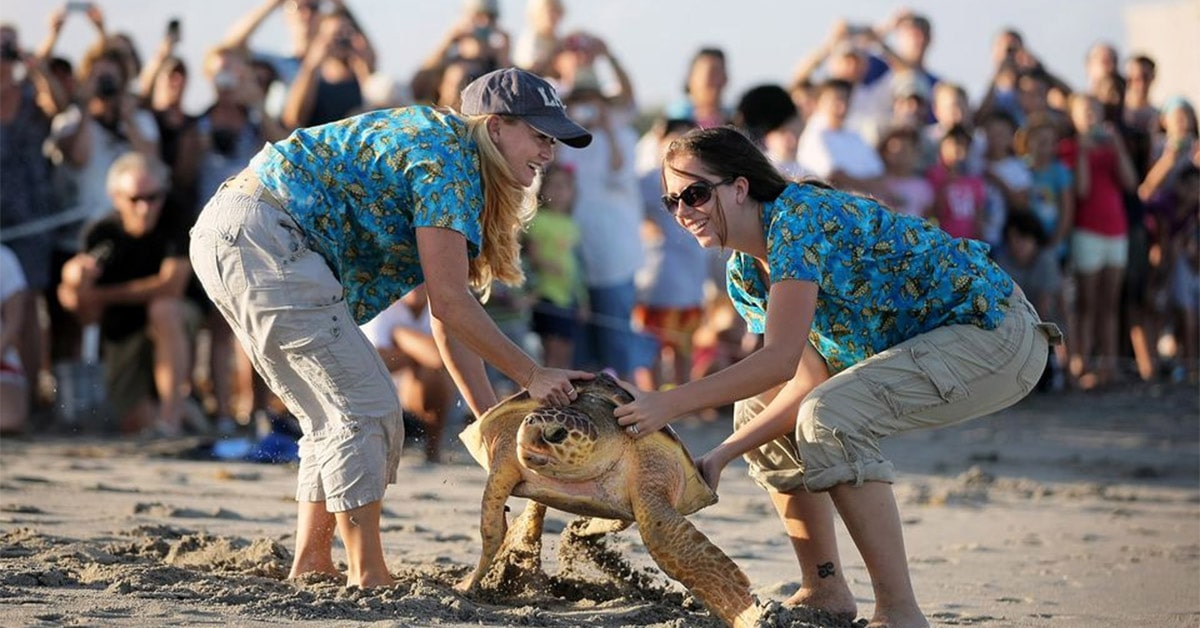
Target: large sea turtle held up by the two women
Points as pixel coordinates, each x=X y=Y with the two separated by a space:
x=578 y=459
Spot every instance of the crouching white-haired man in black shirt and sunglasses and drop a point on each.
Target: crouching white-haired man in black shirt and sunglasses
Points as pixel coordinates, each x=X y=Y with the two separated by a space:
x=131 y=278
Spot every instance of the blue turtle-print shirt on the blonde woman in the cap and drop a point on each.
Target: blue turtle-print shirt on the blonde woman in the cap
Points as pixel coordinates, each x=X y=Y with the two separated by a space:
x=361 y=188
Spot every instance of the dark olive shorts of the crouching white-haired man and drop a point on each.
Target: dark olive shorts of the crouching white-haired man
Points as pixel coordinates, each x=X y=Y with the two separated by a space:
x=129 y=363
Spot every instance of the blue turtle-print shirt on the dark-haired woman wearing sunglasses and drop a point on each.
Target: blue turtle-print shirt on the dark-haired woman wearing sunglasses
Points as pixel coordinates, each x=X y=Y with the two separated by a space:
x=883 y=278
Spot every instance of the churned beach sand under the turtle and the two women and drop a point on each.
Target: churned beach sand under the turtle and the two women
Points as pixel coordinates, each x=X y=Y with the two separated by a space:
x=1078 y=510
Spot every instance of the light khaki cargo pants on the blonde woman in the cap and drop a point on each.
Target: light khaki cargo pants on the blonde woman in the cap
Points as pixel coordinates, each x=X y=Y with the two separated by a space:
x=287 y=310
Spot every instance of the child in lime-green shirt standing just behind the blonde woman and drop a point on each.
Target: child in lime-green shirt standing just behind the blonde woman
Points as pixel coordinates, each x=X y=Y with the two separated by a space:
x=553 y=244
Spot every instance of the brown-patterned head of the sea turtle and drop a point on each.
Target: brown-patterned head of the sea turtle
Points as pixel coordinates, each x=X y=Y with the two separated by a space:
x=566 y=444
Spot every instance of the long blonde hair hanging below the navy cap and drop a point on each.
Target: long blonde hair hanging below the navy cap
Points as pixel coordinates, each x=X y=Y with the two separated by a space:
x=508 y=210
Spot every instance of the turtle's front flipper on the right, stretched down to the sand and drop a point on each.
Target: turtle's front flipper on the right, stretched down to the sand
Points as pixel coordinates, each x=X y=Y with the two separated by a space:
x=687 y=555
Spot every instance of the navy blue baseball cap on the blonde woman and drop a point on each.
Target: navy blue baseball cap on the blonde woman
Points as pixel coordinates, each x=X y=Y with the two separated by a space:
x=525 y=95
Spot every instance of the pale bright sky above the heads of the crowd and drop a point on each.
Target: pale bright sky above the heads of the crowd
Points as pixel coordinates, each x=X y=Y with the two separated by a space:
x=653 y=39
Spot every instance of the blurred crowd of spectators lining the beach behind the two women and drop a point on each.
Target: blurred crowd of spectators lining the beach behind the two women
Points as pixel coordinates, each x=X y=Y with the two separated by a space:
x=1088 y=195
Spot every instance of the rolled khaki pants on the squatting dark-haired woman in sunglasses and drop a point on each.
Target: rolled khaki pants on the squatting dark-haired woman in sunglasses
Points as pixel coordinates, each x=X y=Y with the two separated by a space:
x=941 y=378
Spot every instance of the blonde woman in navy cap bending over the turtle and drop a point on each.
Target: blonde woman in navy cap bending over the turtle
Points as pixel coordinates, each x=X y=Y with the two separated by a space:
x=327 y=229
